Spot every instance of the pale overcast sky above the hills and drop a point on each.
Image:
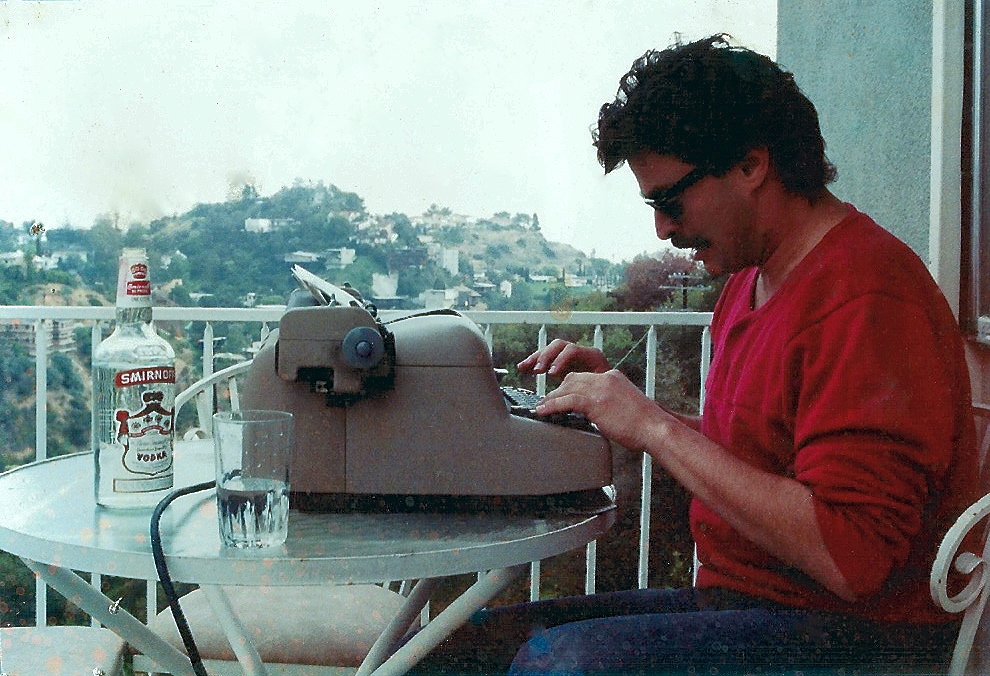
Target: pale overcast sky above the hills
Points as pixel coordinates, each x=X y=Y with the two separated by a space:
x=146 y=108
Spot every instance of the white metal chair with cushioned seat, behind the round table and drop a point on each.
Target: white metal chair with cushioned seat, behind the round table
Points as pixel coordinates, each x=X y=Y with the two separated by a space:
x=304 y=630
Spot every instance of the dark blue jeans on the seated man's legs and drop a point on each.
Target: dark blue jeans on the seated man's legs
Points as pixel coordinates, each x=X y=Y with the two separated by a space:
x=683 y=631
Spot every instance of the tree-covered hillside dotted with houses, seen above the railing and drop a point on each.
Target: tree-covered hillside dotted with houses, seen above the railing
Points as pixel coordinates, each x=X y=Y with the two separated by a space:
x=220 y=254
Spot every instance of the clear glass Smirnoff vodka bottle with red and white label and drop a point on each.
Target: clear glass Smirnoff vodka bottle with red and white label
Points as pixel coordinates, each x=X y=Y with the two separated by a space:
x=133 y=397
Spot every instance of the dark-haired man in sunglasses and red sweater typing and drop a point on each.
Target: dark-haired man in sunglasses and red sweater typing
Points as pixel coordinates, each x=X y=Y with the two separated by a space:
x=836 y=445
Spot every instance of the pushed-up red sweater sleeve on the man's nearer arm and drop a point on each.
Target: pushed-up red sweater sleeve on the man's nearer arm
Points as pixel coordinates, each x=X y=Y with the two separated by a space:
x=873 y=430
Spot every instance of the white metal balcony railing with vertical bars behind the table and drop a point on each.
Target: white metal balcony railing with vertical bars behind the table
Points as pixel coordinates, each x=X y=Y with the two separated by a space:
x=549 y=323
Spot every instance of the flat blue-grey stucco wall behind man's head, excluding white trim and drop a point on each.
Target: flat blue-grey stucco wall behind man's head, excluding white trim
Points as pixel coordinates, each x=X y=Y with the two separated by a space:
x=867 y=67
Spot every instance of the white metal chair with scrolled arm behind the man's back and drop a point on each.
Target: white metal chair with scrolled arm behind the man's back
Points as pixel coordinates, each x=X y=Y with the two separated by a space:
x=972 y=649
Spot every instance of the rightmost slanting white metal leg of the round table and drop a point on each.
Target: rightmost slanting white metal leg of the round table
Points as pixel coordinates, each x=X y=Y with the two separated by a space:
x=447 y=622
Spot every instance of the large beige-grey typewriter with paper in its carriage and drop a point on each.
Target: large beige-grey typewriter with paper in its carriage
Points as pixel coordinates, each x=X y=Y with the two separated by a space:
x=408 y=415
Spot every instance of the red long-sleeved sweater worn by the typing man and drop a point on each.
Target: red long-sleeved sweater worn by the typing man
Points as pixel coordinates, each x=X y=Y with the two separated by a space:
x=851 y=379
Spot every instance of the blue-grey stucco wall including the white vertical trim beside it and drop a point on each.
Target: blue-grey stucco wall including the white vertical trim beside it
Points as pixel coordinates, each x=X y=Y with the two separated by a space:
x=887 y=80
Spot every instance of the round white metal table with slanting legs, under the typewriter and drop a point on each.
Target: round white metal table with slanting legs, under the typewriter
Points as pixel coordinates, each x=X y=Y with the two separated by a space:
x=51 y=521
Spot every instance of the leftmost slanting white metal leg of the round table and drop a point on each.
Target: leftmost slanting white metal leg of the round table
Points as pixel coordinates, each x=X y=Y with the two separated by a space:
x=119 y=621
